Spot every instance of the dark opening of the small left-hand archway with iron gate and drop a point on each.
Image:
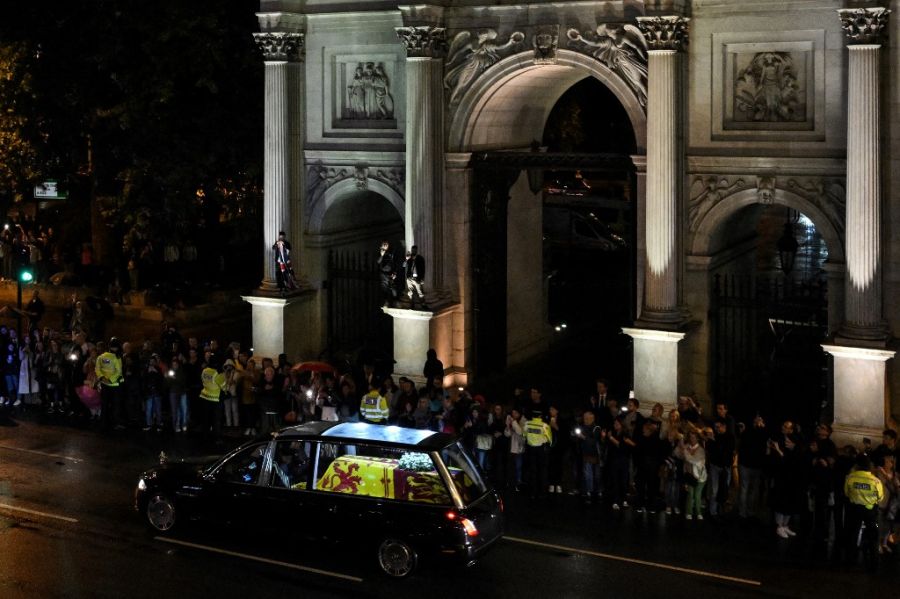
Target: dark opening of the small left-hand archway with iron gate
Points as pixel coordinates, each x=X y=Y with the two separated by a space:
x=349 y=237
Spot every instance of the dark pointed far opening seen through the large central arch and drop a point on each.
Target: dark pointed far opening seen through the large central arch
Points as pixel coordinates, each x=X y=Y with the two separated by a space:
x=589 y=228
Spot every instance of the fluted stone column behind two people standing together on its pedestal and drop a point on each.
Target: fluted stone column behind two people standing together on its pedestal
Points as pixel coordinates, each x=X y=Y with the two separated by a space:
x=424 y=146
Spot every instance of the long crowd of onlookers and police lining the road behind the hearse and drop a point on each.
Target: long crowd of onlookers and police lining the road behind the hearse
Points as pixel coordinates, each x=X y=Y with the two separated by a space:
x=683 y=463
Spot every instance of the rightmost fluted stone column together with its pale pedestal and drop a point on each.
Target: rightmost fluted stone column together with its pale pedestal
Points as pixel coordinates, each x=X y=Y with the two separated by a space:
x=860 y=358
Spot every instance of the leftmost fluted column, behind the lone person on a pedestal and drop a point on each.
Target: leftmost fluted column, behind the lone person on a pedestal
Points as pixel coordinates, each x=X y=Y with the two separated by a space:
x=279 y=49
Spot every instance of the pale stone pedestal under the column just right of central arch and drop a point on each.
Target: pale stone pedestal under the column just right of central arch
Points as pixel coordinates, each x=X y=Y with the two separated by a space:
x=655 y=366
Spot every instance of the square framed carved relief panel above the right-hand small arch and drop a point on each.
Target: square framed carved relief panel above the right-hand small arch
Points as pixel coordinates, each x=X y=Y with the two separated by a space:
x=768 y=86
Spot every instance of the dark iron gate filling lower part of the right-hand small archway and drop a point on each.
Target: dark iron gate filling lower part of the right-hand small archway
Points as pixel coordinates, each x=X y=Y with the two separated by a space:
x=766 y=355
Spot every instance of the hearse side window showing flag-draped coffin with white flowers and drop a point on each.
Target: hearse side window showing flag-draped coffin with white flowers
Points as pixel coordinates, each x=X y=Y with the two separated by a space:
x=381 y=472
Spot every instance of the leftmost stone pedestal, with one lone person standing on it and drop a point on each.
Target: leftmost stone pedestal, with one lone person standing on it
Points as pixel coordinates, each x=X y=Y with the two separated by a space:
x=279 y=324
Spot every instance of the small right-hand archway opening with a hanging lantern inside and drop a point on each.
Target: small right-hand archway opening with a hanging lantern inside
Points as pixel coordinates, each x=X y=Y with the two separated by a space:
x=769 y=316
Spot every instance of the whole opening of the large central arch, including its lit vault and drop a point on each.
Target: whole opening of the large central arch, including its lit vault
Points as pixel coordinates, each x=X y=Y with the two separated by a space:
x=554 y=233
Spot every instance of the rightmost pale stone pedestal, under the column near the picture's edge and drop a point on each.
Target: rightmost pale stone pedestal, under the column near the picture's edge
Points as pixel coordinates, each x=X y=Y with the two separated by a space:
x=860 y=401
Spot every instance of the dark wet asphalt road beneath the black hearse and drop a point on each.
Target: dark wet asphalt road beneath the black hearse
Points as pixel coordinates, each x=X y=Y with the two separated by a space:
x=67 y=529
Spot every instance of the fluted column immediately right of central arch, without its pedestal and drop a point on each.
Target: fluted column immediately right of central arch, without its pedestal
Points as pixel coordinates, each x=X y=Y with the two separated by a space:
x=665 y=37
